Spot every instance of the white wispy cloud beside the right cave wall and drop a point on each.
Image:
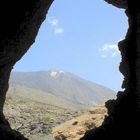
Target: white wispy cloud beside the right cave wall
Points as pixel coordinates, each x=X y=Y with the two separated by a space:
x=109 y=50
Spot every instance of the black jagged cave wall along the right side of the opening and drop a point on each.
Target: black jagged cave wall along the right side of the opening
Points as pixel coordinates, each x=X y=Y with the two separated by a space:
x=124 y=112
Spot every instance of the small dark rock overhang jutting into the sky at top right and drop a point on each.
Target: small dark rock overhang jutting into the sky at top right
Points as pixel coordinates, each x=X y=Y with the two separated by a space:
x=118 y=3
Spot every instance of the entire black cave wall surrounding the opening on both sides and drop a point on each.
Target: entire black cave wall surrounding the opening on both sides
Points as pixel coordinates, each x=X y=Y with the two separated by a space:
x=20 y=22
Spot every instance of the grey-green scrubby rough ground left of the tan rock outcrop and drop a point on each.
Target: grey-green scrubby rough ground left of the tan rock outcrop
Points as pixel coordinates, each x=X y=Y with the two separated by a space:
x=35 y=120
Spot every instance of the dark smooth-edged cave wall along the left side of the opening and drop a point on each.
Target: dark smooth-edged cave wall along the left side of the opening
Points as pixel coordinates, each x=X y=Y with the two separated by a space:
x=20 y=22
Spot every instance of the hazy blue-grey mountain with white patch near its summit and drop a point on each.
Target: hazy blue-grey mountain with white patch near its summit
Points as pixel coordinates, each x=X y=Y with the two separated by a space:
x=58 y=88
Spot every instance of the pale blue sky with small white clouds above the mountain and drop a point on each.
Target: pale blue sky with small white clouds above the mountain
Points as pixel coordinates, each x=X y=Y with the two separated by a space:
x=80 y=37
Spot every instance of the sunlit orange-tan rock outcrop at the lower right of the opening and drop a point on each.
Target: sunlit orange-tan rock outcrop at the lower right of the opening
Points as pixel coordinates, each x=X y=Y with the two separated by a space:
x=74 y=129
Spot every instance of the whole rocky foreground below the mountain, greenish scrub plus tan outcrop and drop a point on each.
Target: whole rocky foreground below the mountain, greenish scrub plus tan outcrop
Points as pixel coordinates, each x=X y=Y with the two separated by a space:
x=39 y=121
